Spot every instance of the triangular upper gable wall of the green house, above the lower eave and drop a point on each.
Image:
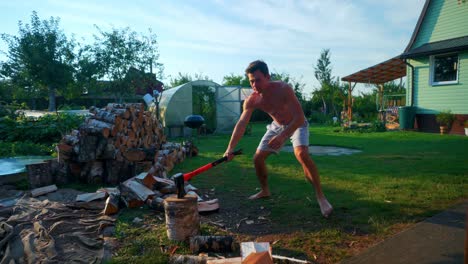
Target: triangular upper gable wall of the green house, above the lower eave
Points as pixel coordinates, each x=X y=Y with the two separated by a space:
x=445 y=19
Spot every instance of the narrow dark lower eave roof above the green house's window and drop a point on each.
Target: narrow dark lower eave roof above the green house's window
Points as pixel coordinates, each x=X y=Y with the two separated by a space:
x=438 y=47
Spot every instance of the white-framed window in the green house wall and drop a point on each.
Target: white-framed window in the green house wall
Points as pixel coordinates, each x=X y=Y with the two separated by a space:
x=444 y=69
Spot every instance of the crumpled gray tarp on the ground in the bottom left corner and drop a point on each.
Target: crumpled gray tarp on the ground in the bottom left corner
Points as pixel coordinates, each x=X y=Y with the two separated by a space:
x=35 y=231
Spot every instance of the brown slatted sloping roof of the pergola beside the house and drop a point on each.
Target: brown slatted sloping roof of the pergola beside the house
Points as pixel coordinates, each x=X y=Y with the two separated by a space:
x=383 y=72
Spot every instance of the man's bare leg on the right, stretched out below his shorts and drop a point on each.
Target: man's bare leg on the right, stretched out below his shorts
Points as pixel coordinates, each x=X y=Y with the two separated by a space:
x=312 y=175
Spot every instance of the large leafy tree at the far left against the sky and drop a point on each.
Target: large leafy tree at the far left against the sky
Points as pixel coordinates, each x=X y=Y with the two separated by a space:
x=39 y=60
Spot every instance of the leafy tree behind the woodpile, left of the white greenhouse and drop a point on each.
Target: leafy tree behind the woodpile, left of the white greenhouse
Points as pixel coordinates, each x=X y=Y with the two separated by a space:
x=117 y=51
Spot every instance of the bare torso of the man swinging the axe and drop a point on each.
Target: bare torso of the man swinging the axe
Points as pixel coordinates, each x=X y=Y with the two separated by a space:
x=275 y=101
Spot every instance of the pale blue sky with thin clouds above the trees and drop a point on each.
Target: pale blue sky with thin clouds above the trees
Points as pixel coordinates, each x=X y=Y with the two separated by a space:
x=216 y=38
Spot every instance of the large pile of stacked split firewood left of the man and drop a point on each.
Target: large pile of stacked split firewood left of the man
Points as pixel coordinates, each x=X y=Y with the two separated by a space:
x=116 y=143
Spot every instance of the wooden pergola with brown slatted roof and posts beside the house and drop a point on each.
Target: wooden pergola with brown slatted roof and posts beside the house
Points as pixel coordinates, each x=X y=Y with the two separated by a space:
x=379 y=74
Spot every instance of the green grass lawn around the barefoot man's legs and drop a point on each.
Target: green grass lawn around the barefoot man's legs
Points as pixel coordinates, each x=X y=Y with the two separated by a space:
x=399 y=178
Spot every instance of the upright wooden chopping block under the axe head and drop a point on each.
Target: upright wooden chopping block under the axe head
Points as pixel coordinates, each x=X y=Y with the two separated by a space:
x=182 y=219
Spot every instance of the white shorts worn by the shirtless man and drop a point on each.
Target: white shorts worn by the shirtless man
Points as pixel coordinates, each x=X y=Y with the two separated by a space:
x=300 y=137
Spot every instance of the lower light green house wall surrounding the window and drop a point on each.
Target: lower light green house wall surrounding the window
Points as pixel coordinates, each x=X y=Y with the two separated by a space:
x=432 y=99
